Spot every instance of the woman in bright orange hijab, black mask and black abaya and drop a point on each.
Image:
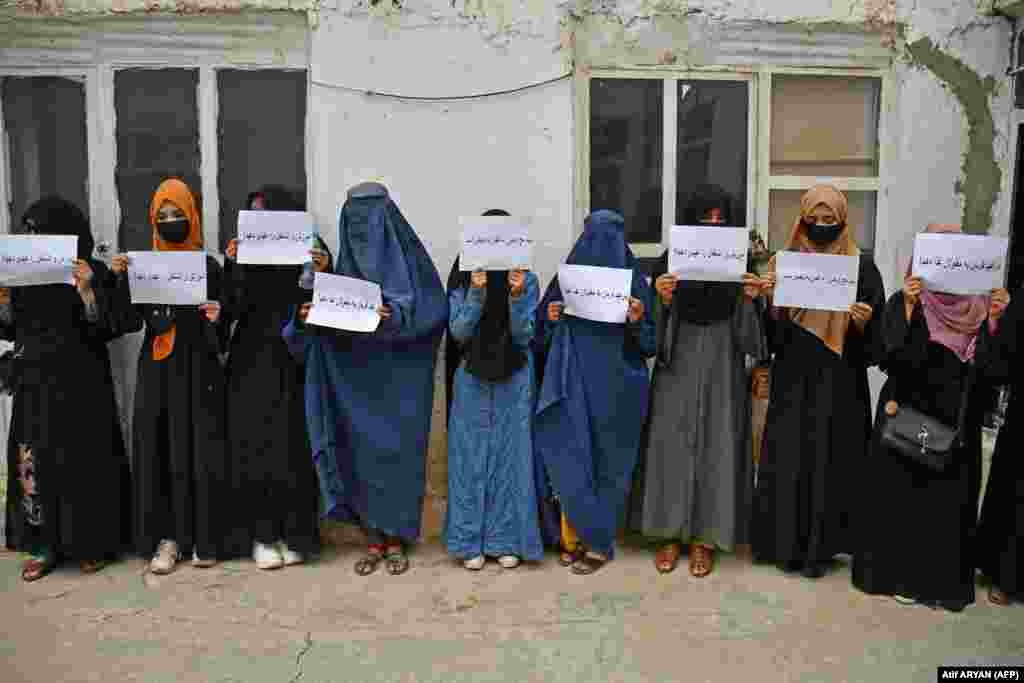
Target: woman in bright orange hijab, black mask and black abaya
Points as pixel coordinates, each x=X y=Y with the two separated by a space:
x=179 y=429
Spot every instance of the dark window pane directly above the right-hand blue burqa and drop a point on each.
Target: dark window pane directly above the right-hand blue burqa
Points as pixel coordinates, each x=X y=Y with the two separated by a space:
x=626 y=151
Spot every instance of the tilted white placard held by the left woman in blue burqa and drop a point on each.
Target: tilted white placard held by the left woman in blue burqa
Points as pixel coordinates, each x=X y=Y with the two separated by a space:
x=346 y=304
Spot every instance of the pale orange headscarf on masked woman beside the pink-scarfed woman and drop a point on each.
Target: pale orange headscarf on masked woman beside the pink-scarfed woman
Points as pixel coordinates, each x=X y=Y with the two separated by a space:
x=831 y=327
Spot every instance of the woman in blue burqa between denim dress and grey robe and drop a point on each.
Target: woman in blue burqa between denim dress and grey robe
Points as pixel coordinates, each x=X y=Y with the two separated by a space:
x=593 y=400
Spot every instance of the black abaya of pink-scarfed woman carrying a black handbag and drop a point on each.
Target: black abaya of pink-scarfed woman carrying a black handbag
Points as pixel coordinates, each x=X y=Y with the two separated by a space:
x=919 y=525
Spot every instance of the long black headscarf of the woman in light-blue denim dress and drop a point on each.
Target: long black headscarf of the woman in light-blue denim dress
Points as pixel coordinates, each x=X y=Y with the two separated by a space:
x=491 y=354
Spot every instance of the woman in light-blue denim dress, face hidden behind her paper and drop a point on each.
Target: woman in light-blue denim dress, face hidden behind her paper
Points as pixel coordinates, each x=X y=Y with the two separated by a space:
x=493 y=504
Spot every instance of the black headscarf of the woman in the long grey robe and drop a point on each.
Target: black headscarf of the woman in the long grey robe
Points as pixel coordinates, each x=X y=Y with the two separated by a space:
x=702 y=303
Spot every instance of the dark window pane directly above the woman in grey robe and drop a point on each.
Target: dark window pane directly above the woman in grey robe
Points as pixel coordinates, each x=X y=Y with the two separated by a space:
x=712 y=147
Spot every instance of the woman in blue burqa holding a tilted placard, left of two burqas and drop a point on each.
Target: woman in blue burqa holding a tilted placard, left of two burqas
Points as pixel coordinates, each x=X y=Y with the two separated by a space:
x=369 y=397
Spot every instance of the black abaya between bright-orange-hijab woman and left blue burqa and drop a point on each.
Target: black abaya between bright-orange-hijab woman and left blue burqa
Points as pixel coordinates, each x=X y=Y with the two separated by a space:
x=274 y=482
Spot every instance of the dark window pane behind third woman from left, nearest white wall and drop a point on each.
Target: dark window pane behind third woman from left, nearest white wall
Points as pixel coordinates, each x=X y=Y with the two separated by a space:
x=262 y=139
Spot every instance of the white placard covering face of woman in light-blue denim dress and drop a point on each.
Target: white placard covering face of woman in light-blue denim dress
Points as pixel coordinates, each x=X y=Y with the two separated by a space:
x=496 y=243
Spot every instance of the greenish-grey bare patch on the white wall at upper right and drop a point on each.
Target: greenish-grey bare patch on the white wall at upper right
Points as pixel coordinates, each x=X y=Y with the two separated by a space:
x=982 y=178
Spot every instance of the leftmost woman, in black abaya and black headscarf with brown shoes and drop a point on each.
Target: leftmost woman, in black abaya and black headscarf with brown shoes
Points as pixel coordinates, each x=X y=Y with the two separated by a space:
x=68 y=475
